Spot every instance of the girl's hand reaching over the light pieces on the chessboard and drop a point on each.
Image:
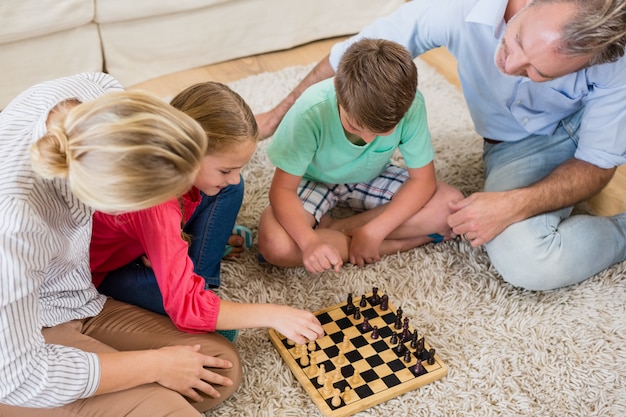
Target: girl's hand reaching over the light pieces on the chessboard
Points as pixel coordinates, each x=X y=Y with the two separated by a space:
x=297 y=325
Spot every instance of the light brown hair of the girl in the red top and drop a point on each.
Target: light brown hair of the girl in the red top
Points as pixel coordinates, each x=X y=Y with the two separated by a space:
x=225 y=117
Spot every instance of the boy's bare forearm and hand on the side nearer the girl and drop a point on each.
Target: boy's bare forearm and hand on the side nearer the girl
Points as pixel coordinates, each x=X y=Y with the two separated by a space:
x=299 y=224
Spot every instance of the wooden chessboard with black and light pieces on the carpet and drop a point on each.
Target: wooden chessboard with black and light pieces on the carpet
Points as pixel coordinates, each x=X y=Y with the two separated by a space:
x=369 y=354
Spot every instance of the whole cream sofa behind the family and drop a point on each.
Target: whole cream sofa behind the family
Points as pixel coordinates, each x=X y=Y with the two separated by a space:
x=136 y=40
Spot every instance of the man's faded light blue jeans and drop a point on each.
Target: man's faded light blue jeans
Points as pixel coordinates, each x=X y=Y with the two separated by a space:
x=554 y=249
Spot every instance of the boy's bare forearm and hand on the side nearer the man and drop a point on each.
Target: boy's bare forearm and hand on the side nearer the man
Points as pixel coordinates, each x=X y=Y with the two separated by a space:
x=410 y=198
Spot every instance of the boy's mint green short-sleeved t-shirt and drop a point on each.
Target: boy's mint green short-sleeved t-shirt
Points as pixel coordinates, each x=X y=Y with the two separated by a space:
x=310 y=141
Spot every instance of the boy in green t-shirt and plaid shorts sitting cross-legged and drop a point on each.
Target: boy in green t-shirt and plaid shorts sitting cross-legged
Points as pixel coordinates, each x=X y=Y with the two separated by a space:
x=334 y=146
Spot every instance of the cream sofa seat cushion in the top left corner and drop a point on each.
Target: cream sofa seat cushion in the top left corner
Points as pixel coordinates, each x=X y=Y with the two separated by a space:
x=32 y=18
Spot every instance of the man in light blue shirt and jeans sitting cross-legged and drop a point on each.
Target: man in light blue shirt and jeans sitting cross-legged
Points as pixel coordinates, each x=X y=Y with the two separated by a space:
x=545 y=82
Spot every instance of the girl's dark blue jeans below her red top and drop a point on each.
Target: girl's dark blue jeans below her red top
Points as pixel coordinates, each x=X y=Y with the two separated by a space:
x=210 y=226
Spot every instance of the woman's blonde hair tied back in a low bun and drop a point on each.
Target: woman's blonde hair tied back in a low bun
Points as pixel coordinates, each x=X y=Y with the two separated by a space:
x=124 y=151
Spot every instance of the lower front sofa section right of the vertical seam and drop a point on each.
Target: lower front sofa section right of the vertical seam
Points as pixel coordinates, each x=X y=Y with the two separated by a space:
x=142 y=49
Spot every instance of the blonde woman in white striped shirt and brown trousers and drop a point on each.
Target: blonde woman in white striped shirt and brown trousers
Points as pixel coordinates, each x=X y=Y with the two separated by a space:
x=70 y=146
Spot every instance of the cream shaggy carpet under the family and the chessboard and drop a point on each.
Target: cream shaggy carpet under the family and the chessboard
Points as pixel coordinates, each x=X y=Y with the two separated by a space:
x=509 y=352
